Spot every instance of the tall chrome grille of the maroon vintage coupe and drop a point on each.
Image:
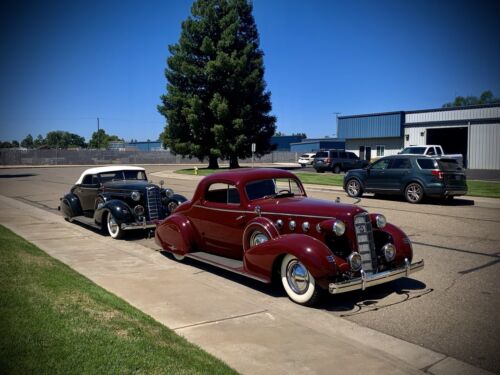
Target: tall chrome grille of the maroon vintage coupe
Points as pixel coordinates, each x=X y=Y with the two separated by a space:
x=366 y=244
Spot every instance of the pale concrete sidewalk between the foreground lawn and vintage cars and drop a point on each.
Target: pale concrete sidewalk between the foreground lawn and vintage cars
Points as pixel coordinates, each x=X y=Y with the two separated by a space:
x=235 y=319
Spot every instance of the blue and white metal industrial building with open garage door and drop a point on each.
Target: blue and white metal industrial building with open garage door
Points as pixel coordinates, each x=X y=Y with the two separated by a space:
x=471 y=131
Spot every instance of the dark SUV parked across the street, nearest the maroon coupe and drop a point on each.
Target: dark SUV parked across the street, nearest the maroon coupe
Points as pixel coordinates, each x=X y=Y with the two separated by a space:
x=414 y=176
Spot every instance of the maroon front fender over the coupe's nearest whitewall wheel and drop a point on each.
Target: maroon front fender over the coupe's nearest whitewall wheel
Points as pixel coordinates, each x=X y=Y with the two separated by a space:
x=315 y=255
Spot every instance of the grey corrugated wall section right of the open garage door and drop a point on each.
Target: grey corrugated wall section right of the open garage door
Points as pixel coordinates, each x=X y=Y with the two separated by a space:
x=484 y=146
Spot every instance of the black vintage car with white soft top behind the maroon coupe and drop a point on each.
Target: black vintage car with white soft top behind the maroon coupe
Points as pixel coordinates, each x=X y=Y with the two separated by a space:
x=117 y=199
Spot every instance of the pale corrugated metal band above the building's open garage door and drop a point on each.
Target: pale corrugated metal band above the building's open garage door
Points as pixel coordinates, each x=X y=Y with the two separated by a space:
x=453 y=115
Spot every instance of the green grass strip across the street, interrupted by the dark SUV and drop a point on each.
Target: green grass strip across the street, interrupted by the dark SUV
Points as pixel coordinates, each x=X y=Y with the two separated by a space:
x=476 y=188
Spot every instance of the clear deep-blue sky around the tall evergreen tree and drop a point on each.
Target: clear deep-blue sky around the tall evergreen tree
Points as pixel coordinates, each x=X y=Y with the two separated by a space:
x=66 y=63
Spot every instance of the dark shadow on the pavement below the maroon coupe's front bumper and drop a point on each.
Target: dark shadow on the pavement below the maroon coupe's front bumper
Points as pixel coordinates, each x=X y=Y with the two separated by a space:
x=375 y=298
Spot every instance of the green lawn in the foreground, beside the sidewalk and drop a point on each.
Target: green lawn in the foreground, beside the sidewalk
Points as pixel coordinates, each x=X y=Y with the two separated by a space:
x=55 y=321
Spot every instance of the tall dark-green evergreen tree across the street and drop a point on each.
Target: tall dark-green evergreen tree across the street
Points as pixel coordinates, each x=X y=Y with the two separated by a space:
x=216 y=104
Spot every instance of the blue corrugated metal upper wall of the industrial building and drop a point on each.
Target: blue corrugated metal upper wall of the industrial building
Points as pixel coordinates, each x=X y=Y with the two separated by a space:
x=380 y=126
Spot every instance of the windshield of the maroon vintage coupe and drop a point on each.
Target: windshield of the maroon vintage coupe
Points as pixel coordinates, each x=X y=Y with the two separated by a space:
x=272 y=188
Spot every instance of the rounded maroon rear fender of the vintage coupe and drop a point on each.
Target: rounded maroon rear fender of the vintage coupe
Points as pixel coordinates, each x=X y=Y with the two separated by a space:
x=176 y=234
